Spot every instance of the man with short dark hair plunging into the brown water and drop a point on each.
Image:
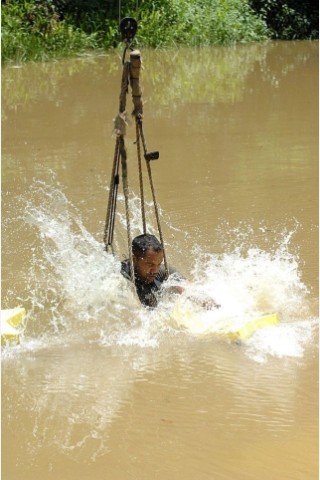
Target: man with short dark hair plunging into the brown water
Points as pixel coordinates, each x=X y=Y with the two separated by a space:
x=150 y=273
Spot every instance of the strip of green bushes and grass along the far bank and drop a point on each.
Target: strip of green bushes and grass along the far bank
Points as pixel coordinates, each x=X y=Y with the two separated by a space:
x=45 y=29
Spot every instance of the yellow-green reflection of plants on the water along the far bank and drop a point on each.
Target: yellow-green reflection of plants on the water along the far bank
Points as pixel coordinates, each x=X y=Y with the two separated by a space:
x=204 y=75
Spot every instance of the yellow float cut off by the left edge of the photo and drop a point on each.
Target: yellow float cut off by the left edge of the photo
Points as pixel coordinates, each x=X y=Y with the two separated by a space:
x=11 y=325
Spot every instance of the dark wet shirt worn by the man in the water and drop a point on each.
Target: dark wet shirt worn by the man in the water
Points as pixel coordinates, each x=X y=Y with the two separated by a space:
x=148 y=293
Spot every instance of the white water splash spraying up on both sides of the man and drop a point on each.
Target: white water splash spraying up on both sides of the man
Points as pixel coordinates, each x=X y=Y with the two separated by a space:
x=77 y=288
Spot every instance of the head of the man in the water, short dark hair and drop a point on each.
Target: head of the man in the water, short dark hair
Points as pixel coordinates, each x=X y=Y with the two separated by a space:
x=147 y=256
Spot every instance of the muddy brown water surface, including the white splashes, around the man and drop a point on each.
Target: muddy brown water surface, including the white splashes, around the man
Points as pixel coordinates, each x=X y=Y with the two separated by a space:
x=100 y=388
